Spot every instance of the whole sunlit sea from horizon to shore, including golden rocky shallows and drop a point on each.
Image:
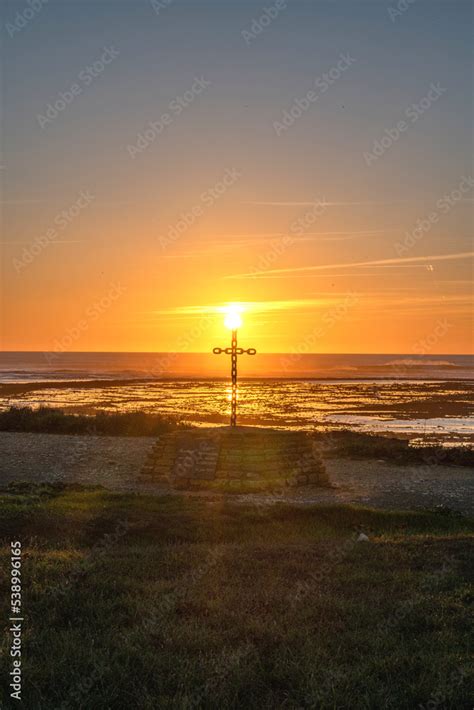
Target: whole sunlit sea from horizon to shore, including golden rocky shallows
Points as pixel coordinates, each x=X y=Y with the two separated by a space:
x=427 y=399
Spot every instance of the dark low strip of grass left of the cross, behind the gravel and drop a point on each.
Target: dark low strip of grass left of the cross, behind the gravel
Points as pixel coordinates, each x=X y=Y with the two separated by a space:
x=54 y=421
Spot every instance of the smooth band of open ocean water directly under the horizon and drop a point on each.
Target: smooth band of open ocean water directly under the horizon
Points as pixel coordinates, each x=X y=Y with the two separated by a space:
x=41 y=366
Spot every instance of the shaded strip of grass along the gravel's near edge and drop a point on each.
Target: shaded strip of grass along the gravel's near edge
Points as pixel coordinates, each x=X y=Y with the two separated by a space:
x=53 y=512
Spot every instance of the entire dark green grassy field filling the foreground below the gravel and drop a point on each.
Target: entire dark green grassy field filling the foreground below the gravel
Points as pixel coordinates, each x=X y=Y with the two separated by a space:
x=147 y=602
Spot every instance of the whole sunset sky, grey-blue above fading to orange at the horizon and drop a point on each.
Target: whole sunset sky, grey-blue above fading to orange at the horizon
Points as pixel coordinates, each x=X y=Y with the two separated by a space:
x=309 y=160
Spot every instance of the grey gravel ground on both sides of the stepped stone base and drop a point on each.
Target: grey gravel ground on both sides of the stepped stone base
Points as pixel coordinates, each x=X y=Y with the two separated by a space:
x=114 y=462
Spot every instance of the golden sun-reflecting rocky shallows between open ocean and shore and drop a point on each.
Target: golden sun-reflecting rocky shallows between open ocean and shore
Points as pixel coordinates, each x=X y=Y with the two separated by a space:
x=305 y=404
